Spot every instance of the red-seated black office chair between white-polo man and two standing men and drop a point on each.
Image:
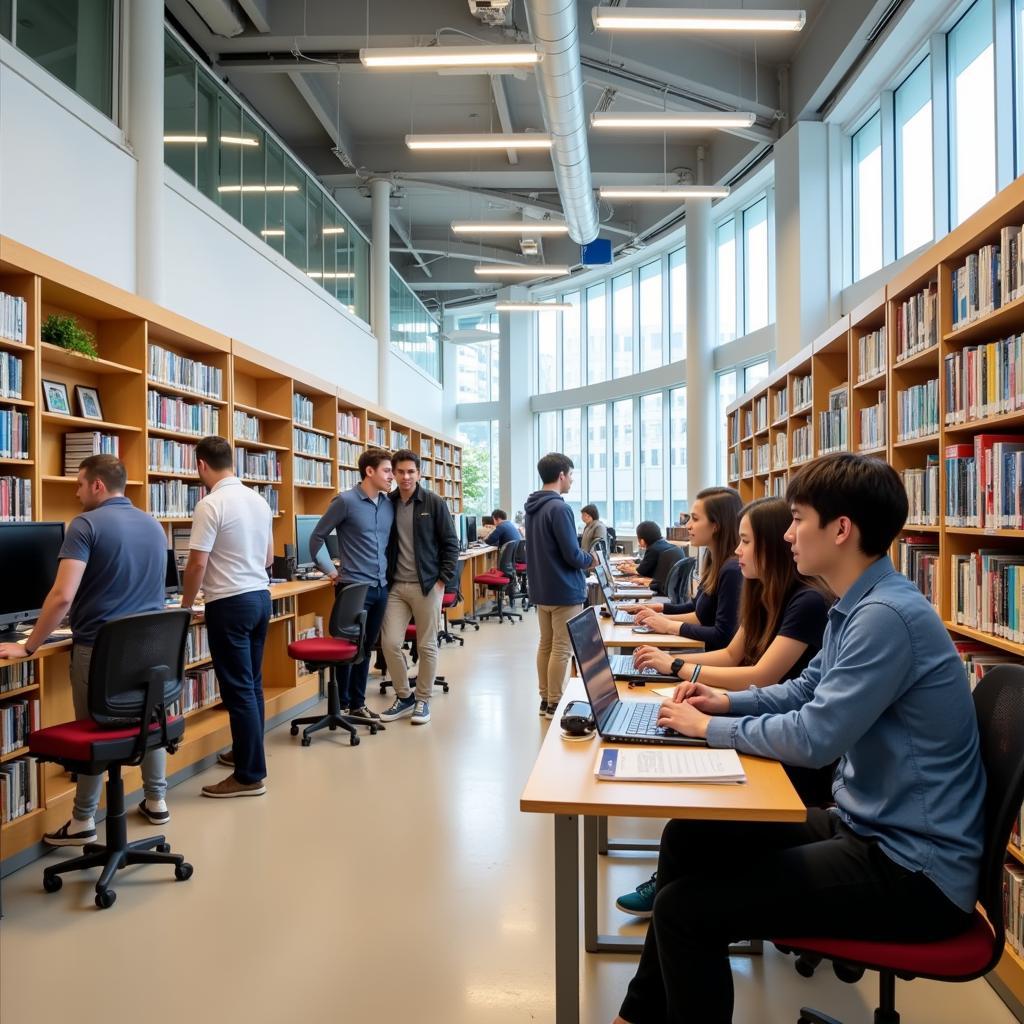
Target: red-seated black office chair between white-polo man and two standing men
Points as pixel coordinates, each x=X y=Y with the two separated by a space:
x=326 y=655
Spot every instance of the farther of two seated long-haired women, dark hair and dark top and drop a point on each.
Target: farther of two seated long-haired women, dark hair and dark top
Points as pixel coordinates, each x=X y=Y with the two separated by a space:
x=712 y=616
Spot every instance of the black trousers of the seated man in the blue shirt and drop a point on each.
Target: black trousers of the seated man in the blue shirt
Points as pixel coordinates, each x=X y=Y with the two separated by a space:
x=719 y=882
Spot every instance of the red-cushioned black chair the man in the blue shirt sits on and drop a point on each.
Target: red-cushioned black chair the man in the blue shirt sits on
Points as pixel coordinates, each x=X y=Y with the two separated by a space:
x=999 y=703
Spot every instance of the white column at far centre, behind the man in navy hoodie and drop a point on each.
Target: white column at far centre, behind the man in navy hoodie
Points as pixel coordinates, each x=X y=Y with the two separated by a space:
x=516 y=422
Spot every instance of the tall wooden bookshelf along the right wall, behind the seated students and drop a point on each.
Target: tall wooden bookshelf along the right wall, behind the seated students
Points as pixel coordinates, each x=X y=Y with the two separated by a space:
x=835 y=361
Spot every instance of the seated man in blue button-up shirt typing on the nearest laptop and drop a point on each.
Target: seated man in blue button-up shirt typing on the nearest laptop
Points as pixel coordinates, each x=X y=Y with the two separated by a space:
x=899 y=858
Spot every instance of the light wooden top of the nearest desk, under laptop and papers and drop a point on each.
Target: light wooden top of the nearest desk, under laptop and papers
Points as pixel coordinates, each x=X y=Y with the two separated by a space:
x=564 y=783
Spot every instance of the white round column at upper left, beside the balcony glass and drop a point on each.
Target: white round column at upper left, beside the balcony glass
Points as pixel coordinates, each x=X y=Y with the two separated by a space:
x=146 y=133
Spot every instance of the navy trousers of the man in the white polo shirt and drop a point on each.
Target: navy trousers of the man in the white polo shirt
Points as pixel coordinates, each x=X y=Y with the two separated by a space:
x=237 y=630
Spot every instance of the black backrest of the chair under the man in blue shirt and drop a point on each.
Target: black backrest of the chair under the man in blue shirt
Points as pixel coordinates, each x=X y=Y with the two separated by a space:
x=999 y=703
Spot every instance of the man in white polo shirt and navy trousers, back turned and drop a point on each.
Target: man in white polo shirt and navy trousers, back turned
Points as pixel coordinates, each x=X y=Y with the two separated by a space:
x=232 y=546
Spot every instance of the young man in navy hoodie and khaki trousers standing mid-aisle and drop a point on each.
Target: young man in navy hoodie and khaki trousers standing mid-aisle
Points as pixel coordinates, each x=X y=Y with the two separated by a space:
x=554 y=574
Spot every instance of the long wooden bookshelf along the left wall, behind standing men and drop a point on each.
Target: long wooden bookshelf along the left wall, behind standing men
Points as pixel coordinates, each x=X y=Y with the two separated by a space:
x=162 y=383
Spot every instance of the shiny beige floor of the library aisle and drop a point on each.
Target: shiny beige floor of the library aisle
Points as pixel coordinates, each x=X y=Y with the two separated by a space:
x=396 y=881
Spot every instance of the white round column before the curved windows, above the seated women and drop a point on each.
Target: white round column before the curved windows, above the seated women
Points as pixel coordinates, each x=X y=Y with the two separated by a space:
x=701 y=393
